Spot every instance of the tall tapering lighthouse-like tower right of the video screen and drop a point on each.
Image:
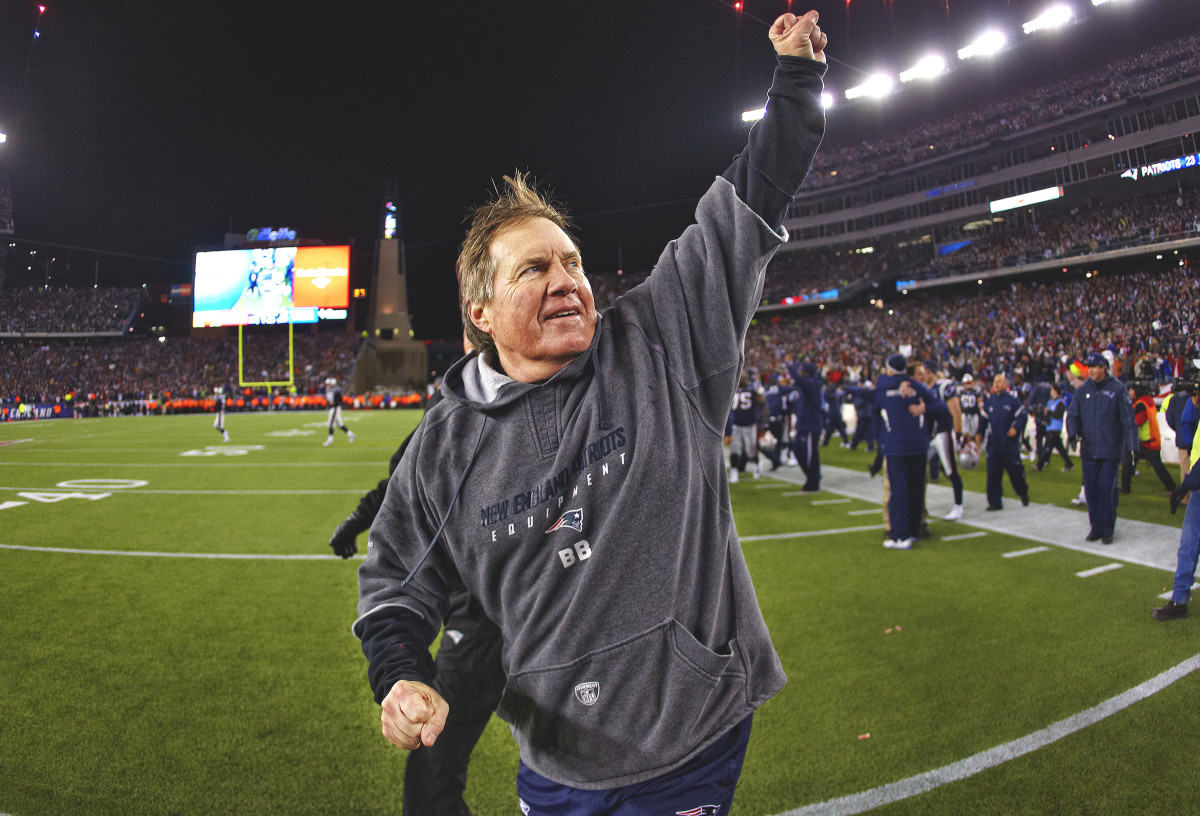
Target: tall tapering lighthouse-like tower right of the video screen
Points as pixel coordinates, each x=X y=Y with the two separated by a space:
x=391 y=358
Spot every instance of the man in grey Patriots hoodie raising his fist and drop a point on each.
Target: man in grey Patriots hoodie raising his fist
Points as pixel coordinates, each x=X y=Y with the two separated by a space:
x=634 y=646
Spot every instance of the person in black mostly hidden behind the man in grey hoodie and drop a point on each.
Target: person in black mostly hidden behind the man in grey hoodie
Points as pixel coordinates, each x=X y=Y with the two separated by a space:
x=466 y=673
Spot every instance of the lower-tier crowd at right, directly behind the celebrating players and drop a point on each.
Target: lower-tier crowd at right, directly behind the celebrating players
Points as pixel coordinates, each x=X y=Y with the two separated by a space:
x=1147 y=320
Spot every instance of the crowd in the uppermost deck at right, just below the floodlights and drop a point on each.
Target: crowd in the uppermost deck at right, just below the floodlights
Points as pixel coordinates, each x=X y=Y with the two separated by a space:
x=1089 y=88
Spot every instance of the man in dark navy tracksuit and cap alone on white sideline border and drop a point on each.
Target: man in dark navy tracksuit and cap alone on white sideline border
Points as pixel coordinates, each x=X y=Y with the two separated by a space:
x=1101 y=415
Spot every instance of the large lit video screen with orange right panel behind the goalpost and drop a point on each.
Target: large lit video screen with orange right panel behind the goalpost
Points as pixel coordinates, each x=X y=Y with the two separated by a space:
x=271 y=286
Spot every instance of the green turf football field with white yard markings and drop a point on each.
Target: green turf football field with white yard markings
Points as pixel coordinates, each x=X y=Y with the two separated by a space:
x=154 y=685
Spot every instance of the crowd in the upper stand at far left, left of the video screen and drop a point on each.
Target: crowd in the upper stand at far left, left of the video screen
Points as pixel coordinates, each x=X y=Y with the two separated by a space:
x=63 y=310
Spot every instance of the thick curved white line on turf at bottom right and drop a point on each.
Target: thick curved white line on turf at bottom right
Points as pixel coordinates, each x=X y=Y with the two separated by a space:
x=904 y=789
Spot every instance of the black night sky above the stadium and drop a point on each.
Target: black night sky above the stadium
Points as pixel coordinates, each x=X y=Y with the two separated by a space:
x=152 y=129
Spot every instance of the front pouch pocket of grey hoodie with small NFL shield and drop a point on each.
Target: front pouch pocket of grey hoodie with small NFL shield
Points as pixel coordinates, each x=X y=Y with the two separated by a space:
x=628 y=710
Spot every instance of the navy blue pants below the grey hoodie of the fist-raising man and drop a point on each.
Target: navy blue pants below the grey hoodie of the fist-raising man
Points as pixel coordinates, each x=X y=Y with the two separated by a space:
x=703 y=787
